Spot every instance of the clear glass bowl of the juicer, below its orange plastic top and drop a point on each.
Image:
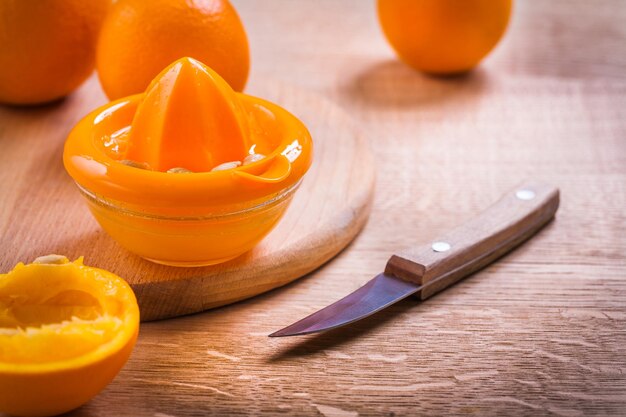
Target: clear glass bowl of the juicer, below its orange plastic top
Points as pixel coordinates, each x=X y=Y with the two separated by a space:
x=200 y=240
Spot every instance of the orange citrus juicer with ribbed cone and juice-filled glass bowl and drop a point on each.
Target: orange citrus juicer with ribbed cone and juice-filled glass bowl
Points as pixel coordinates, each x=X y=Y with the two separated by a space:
x=189 y=173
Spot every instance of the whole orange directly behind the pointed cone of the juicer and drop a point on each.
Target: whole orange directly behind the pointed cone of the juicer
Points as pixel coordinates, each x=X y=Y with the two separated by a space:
x=139 y=38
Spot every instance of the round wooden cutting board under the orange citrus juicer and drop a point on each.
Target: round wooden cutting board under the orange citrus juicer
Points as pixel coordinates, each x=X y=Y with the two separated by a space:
x=41 y=211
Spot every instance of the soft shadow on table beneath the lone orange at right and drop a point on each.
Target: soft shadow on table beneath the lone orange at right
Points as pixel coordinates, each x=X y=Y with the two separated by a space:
x=392 y=84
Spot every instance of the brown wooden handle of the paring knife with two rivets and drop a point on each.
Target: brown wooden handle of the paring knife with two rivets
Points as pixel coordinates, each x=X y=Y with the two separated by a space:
x=503 y=226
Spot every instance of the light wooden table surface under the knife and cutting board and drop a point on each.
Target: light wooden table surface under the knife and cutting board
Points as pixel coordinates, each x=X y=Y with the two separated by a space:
x=541 y=332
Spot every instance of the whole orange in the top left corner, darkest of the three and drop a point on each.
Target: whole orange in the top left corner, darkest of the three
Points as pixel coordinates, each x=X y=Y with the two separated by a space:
x=47 y=47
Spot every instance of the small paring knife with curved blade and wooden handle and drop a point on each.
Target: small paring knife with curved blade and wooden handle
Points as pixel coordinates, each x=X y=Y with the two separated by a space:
x=428 y=269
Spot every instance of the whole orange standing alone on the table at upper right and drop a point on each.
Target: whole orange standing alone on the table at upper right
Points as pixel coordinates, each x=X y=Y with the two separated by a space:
x=443 y=36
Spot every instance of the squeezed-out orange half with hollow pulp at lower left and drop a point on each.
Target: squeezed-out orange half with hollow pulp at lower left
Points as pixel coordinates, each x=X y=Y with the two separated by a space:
x=66 y=330
